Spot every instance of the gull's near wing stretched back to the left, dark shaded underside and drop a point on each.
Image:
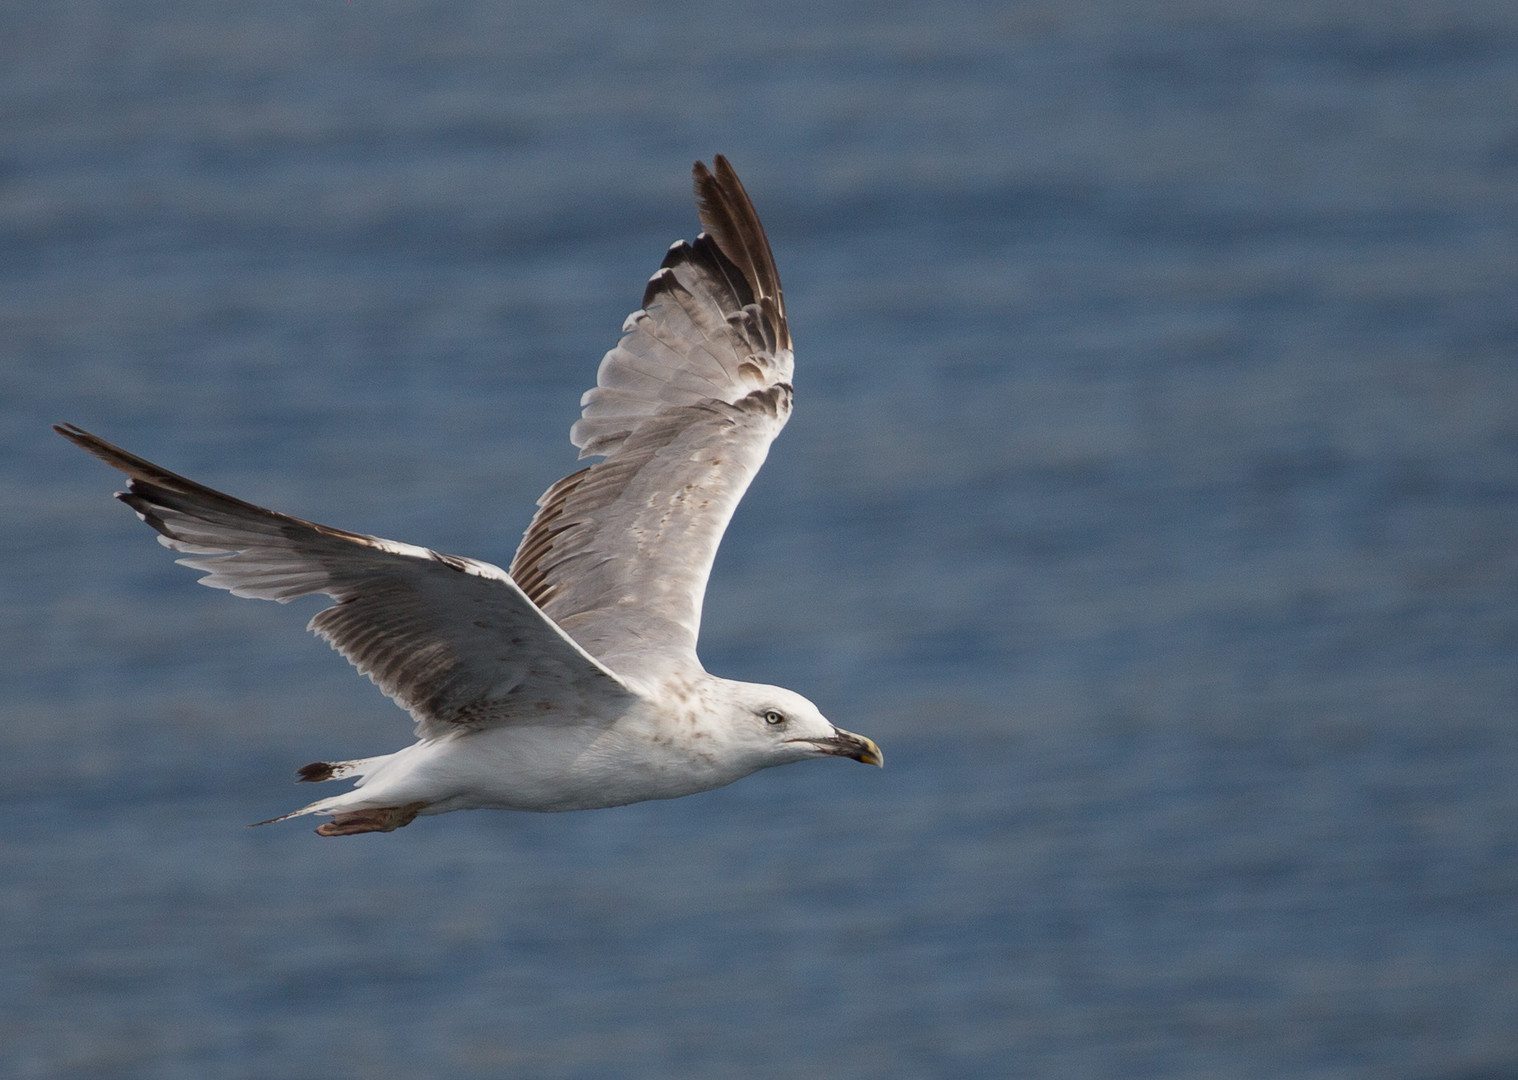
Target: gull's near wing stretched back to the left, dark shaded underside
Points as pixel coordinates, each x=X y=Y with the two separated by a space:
x=452 y=640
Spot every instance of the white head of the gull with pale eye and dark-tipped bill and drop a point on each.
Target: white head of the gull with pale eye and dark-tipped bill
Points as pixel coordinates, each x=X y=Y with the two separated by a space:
x=773 y=727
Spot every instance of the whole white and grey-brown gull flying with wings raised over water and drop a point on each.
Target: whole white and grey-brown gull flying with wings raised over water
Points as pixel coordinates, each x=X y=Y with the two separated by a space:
x=572 y=681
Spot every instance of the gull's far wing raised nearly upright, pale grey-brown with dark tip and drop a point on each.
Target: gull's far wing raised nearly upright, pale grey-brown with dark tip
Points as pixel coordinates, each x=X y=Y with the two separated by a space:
x=684 y=411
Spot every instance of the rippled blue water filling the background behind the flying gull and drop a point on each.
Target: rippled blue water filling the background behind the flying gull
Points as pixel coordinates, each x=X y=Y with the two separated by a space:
x=1151 y=497
